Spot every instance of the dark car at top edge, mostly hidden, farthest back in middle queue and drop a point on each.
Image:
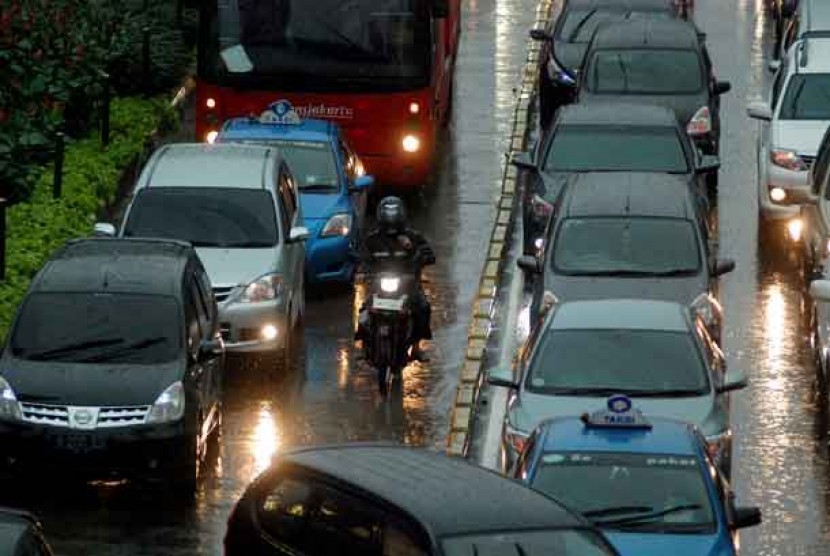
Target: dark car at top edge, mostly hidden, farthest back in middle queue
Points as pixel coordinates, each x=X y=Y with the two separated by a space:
x=567 y=36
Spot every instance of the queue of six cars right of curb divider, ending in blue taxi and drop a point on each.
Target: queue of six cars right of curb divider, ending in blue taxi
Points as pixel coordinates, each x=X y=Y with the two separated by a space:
x=619 y=398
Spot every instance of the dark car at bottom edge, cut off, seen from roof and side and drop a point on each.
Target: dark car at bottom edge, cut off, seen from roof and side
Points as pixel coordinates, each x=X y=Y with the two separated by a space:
x=385 y=500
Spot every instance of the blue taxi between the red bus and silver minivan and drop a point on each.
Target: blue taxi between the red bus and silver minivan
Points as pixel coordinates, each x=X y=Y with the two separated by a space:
x=333 y=186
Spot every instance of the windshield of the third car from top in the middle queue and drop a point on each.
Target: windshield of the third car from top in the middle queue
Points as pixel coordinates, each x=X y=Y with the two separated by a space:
x=619 y=148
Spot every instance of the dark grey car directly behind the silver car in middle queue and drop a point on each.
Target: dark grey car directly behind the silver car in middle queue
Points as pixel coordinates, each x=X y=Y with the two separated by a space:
x=628 y=235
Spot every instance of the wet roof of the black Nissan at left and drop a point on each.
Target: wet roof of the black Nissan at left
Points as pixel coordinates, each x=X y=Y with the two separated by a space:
x=117 y=265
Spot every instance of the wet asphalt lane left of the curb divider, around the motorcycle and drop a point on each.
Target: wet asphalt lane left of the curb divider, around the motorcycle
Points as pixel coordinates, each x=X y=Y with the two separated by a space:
x=329 y=398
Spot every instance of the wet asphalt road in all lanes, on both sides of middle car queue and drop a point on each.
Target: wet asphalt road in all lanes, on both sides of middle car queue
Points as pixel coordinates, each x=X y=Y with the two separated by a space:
x=781 y=455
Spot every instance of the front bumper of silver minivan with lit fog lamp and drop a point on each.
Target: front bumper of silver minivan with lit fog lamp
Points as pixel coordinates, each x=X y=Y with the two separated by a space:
x=242 y=325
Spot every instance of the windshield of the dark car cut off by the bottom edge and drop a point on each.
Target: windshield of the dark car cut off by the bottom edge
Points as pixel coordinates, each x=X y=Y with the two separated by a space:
x=561 y=542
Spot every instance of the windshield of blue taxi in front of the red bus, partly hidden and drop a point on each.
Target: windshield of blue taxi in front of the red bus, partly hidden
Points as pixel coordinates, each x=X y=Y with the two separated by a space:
x=312 y=163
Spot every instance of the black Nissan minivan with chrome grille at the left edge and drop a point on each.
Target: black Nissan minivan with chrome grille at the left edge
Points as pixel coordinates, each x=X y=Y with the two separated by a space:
x=113 y=365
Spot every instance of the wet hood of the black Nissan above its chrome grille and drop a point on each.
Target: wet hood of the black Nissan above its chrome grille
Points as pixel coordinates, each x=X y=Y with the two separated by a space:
x=85 y=384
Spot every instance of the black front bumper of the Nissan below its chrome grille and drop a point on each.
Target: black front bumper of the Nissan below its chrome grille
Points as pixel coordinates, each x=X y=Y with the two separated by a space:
x=124 y=452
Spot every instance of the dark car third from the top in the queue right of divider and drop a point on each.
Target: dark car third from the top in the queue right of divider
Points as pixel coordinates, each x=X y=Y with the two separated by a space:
x=604 y=137
